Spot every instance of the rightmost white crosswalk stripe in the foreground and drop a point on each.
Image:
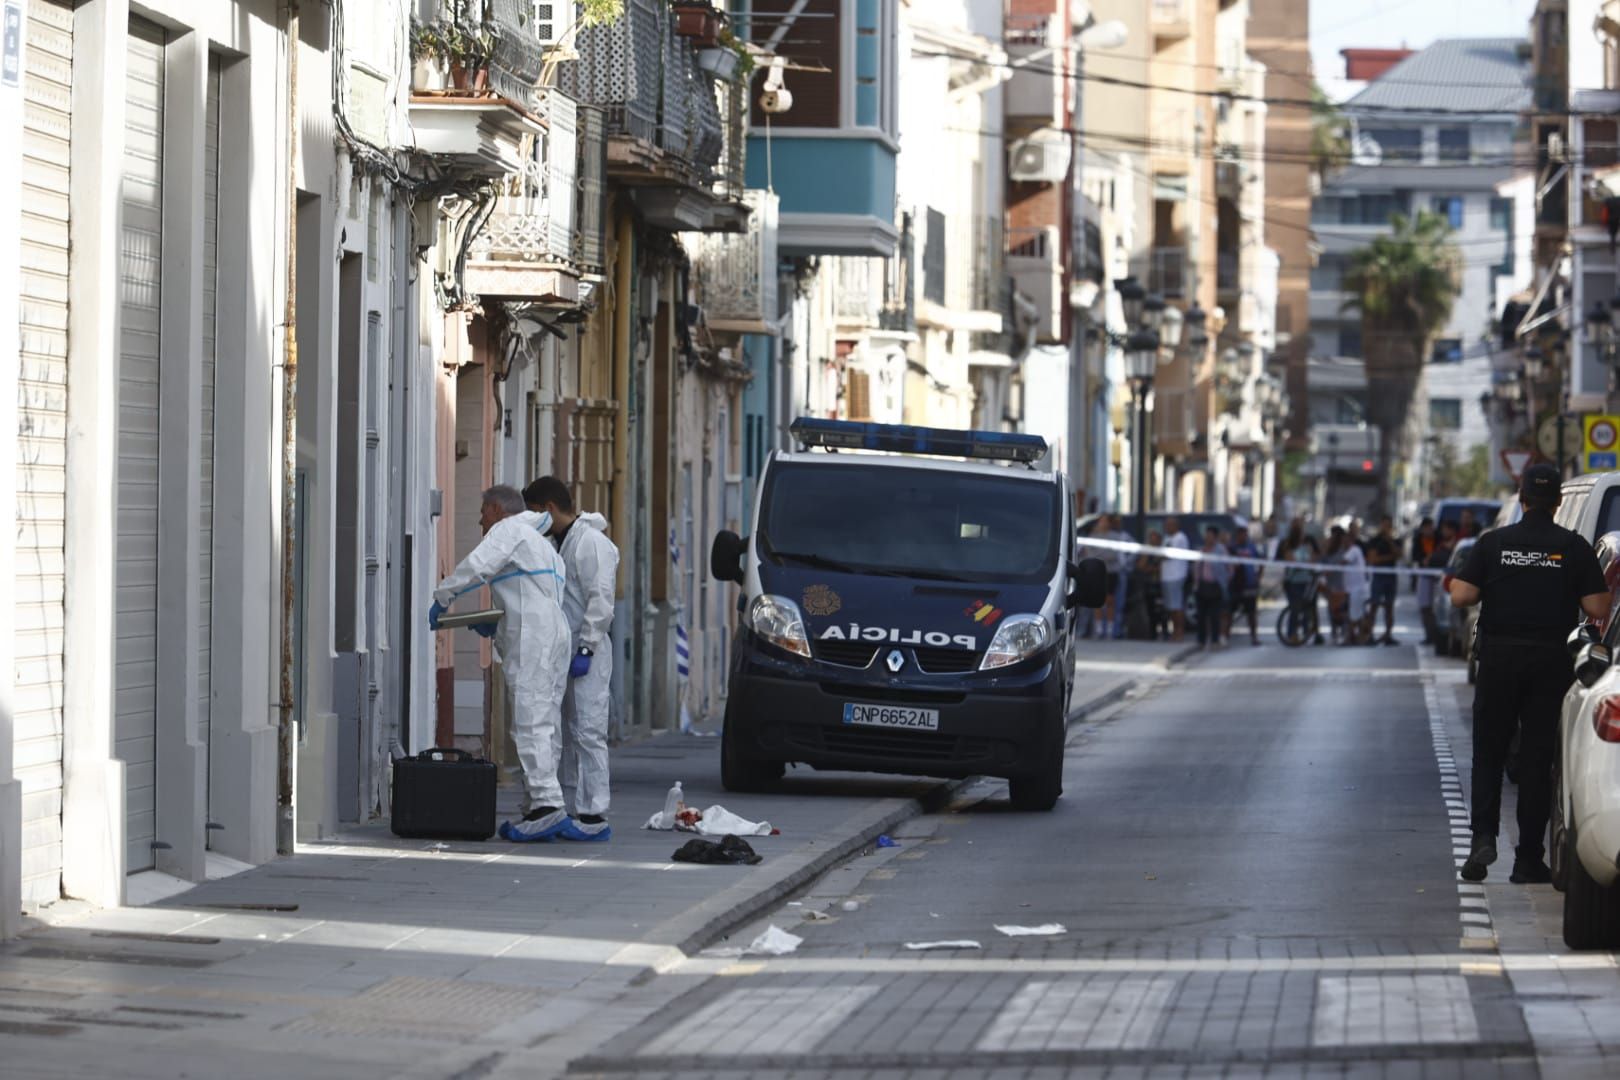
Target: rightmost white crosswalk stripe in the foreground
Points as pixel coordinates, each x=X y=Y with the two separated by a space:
x=1376 y=1010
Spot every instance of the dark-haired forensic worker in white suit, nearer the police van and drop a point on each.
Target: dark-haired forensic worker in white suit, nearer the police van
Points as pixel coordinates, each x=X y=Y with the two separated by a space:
x=592 y=566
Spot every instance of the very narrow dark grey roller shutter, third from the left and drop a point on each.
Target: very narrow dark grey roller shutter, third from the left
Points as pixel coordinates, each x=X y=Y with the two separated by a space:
x=210 y=297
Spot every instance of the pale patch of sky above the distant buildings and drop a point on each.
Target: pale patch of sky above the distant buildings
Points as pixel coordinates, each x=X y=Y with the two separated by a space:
x=1412 y=23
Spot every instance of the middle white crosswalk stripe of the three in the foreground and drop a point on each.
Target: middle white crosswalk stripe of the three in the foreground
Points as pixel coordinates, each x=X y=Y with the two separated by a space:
x=1081 y=1014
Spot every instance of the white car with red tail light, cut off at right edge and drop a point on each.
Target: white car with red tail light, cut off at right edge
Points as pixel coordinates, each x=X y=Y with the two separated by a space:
x=1585 y=831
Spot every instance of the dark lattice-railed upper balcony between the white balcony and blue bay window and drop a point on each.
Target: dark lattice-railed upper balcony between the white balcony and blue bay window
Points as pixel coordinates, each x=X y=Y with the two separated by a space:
x=668 y=140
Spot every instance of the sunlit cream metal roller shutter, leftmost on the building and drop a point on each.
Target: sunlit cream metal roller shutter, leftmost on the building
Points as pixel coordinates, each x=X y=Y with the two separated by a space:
x=41 y=453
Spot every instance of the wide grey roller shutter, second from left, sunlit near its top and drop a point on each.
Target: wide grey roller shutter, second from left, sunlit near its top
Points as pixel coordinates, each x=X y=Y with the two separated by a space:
x=139 y=365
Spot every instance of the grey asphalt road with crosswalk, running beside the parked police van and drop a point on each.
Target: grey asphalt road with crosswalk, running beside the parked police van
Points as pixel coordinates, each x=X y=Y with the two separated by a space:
x=1253 y=870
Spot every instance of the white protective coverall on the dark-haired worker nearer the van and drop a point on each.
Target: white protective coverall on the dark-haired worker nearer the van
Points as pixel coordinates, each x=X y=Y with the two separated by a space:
x=592 y=566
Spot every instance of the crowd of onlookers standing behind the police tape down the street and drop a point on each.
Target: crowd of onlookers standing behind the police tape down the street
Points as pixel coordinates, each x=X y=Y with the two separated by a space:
x=1154 y=595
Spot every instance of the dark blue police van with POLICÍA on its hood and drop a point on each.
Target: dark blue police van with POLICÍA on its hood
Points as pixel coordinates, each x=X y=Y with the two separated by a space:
x=910 y=600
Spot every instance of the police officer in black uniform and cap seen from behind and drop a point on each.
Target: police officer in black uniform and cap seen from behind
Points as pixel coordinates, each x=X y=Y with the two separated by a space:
x=1535 y=580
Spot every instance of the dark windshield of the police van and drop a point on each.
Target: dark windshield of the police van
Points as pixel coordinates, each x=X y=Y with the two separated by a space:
x=911 y=522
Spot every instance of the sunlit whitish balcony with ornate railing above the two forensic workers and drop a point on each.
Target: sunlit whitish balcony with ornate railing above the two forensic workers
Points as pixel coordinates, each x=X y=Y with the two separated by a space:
x=545 y=221
